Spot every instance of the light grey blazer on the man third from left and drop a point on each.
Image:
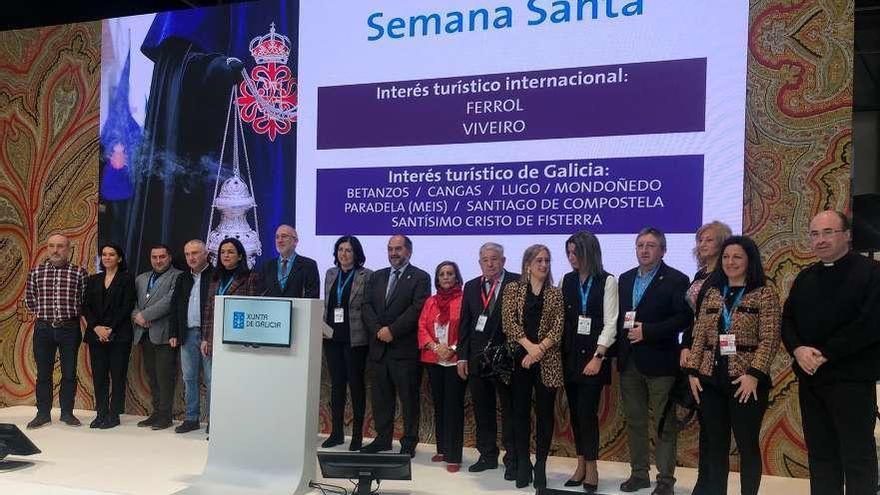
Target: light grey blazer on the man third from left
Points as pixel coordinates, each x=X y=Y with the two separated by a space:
x=157 y=308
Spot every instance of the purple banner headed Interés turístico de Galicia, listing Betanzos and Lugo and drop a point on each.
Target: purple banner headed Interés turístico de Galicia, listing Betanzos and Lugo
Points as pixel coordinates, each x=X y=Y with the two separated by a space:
x=605 y=196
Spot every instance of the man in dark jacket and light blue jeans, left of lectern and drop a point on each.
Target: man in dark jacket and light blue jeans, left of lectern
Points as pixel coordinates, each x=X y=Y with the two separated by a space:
x=190 y=293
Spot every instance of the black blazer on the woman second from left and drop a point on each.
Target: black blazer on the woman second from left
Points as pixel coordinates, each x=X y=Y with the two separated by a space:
x=112 y=309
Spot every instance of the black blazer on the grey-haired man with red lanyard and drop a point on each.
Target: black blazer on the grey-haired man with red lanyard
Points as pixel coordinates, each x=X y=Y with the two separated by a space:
x=470 y=342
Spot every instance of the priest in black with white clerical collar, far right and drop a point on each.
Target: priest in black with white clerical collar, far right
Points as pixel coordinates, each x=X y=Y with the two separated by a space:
x=831 y=326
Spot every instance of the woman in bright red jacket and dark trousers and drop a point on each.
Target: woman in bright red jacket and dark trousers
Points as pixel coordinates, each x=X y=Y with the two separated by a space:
x=438 y=333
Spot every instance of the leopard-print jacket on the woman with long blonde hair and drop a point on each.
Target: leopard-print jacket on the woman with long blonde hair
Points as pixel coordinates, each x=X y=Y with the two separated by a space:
x=550 y=327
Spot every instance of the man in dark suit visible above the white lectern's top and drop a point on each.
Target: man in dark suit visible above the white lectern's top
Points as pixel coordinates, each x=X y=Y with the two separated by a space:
x=290 y=274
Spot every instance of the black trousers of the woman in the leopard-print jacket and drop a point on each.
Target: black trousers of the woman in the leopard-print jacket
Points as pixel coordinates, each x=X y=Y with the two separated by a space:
x=523 y=381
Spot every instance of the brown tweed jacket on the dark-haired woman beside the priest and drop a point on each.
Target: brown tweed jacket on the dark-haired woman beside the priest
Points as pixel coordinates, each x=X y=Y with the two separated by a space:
x=756 y=324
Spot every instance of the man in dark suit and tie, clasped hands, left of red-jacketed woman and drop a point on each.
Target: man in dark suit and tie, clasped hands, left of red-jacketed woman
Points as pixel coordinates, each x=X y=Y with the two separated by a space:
x=391 y=314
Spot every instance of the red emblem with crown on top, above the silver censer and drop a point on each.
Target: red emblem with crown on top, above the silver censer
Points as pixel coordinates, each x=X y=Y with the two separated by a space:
x=268 y=101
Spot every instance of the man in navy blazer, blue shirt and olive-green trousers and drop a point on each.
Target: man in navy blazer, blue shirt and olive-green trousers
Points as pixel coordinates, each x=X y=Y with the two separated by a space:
x=653 y=312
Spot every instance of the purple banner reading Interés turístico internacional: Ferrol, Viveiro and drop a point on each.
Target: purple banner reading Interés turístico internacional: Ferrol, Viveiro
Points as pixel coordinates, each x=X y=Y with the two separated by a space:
x=629 y=99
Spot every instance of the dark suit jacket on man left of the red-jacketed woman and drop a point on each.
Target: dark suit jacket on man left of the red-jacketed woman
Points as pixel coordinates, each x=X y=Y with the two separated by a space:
x=401 y=314
